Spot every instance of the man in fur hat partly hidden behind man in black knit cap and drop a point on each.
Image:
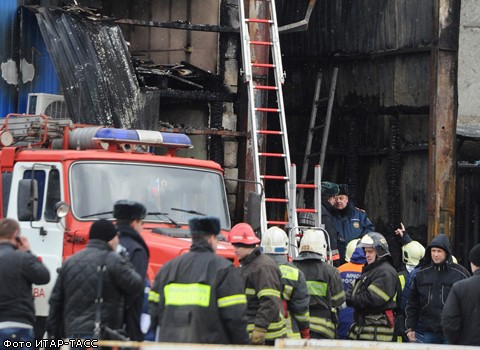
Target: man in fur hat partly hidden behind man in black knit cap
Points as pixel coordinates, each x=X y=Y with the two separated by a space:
x=130 y=215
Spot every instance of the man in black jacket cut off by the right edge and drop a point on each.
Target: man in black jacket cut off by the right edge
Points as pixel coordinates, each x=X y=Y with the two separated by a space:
x=461 y=313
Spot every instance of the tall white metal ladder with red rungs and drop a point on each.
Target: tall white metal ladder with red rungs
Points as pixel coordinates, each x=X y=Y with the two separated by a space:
x=266 y=45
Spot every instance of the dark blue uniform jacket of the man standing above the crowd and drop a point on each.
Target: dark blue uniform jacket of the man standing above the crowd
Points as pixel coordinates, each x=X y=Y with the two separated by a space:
x=350 y=223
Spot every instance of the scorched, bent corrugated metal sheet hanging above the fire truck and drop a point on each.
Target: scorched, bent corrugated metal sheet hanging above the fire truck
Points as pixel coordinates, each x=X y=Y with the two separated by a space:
x=93 y=66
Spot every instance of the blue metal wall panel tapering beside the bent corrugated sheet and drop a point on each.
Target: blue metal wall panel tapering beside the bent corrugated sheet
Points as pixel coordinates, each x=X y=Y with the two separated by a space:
x=34 y=52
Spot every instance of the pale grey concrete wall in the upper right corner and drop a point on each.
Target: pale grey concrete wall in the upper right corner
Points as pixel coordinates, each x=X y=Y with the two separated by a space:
x=469 y=64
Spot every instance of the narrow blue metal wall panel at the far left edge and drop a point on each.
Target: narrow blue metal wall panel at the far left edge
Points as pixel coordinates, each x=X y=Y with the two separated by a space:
x=8 y=49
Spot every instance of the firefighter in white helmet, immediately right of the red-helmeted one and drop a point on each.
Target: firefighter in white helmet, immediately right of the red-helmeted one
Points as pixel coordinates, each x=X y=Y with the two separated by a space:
x=295 y=293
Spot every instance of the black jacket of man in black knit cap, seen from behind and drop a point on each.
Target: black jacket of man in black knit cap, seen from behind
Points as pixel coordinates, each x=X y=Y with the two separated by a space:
x=72 y=303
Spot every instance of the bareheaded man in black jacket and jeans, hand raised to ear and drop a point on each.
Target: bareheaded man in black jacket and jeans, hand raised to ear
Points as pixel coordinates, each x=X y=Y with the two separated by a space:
x=19 y=269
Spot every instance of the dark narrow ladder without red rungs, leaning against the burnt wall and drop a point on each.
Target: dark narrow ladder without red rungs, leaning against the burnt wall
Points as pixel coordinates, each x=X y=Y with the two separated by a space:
x=313 y=127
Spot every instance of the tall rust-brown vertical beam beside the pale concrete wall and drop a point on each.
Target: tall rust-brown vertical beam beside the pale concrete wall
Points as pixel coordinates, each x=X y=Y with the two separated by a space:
x=443 y=117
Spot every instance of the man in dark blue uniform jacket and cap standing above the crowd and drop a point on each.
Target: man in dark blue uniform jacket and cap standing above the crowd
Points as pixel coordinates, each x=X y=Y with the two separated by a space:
x=350 y=222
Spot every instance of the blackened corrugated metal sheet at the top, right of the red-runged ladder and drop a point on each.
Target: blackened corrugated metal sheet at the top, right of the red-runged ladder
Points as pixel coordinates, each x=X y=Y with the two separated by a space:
x=352 y=26
